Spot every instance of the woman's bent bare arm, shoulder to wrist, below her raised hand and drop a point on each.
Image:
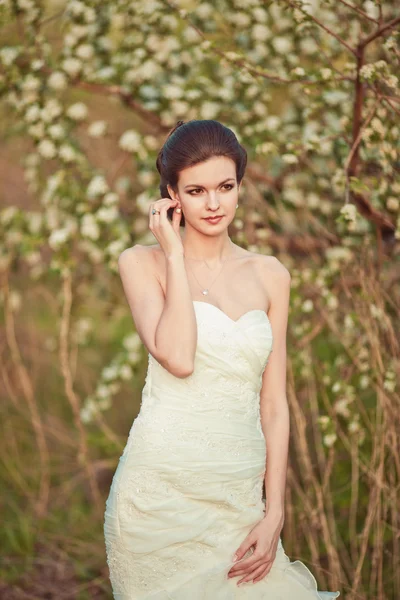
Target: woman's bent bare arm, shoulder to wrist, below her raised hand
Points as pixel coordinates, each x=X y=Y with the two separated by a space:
x=166 y=326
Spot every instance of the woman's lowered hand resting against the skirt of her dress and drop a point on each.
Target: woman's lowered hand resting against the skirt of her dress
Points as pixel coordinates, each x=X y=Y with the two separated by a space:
x=265 y=537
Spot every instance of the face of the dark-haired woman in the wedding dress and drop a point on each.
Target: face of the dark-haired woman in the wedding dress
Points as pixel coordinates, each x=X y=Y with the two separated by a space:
x=208 y=189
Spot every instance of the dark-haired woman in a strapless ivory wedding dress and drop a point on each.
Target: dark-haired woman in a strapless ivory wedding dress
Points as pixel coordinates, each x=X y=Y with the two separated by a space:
x=187 y=494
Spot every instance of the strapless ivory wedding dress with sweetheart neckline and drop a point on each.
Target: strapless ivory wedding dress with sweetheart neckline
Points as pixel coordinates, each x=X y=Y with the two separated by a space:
x=188 y=487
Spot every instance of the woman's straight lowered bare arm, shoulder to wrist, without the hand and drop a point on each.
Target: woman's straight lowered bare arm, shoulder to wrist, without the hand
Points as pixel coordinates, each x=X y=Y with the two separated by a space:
x=273 y=401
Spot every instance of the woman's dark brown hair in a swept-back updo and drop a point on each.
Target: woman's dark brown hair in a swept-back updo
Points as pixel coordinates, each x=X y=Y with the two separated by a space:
x=196 y=141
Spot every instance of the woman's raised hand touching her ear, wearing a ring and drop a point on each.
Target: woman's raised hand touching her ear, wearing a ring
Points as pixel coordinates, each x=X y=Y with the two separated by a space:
x=166 y=231
